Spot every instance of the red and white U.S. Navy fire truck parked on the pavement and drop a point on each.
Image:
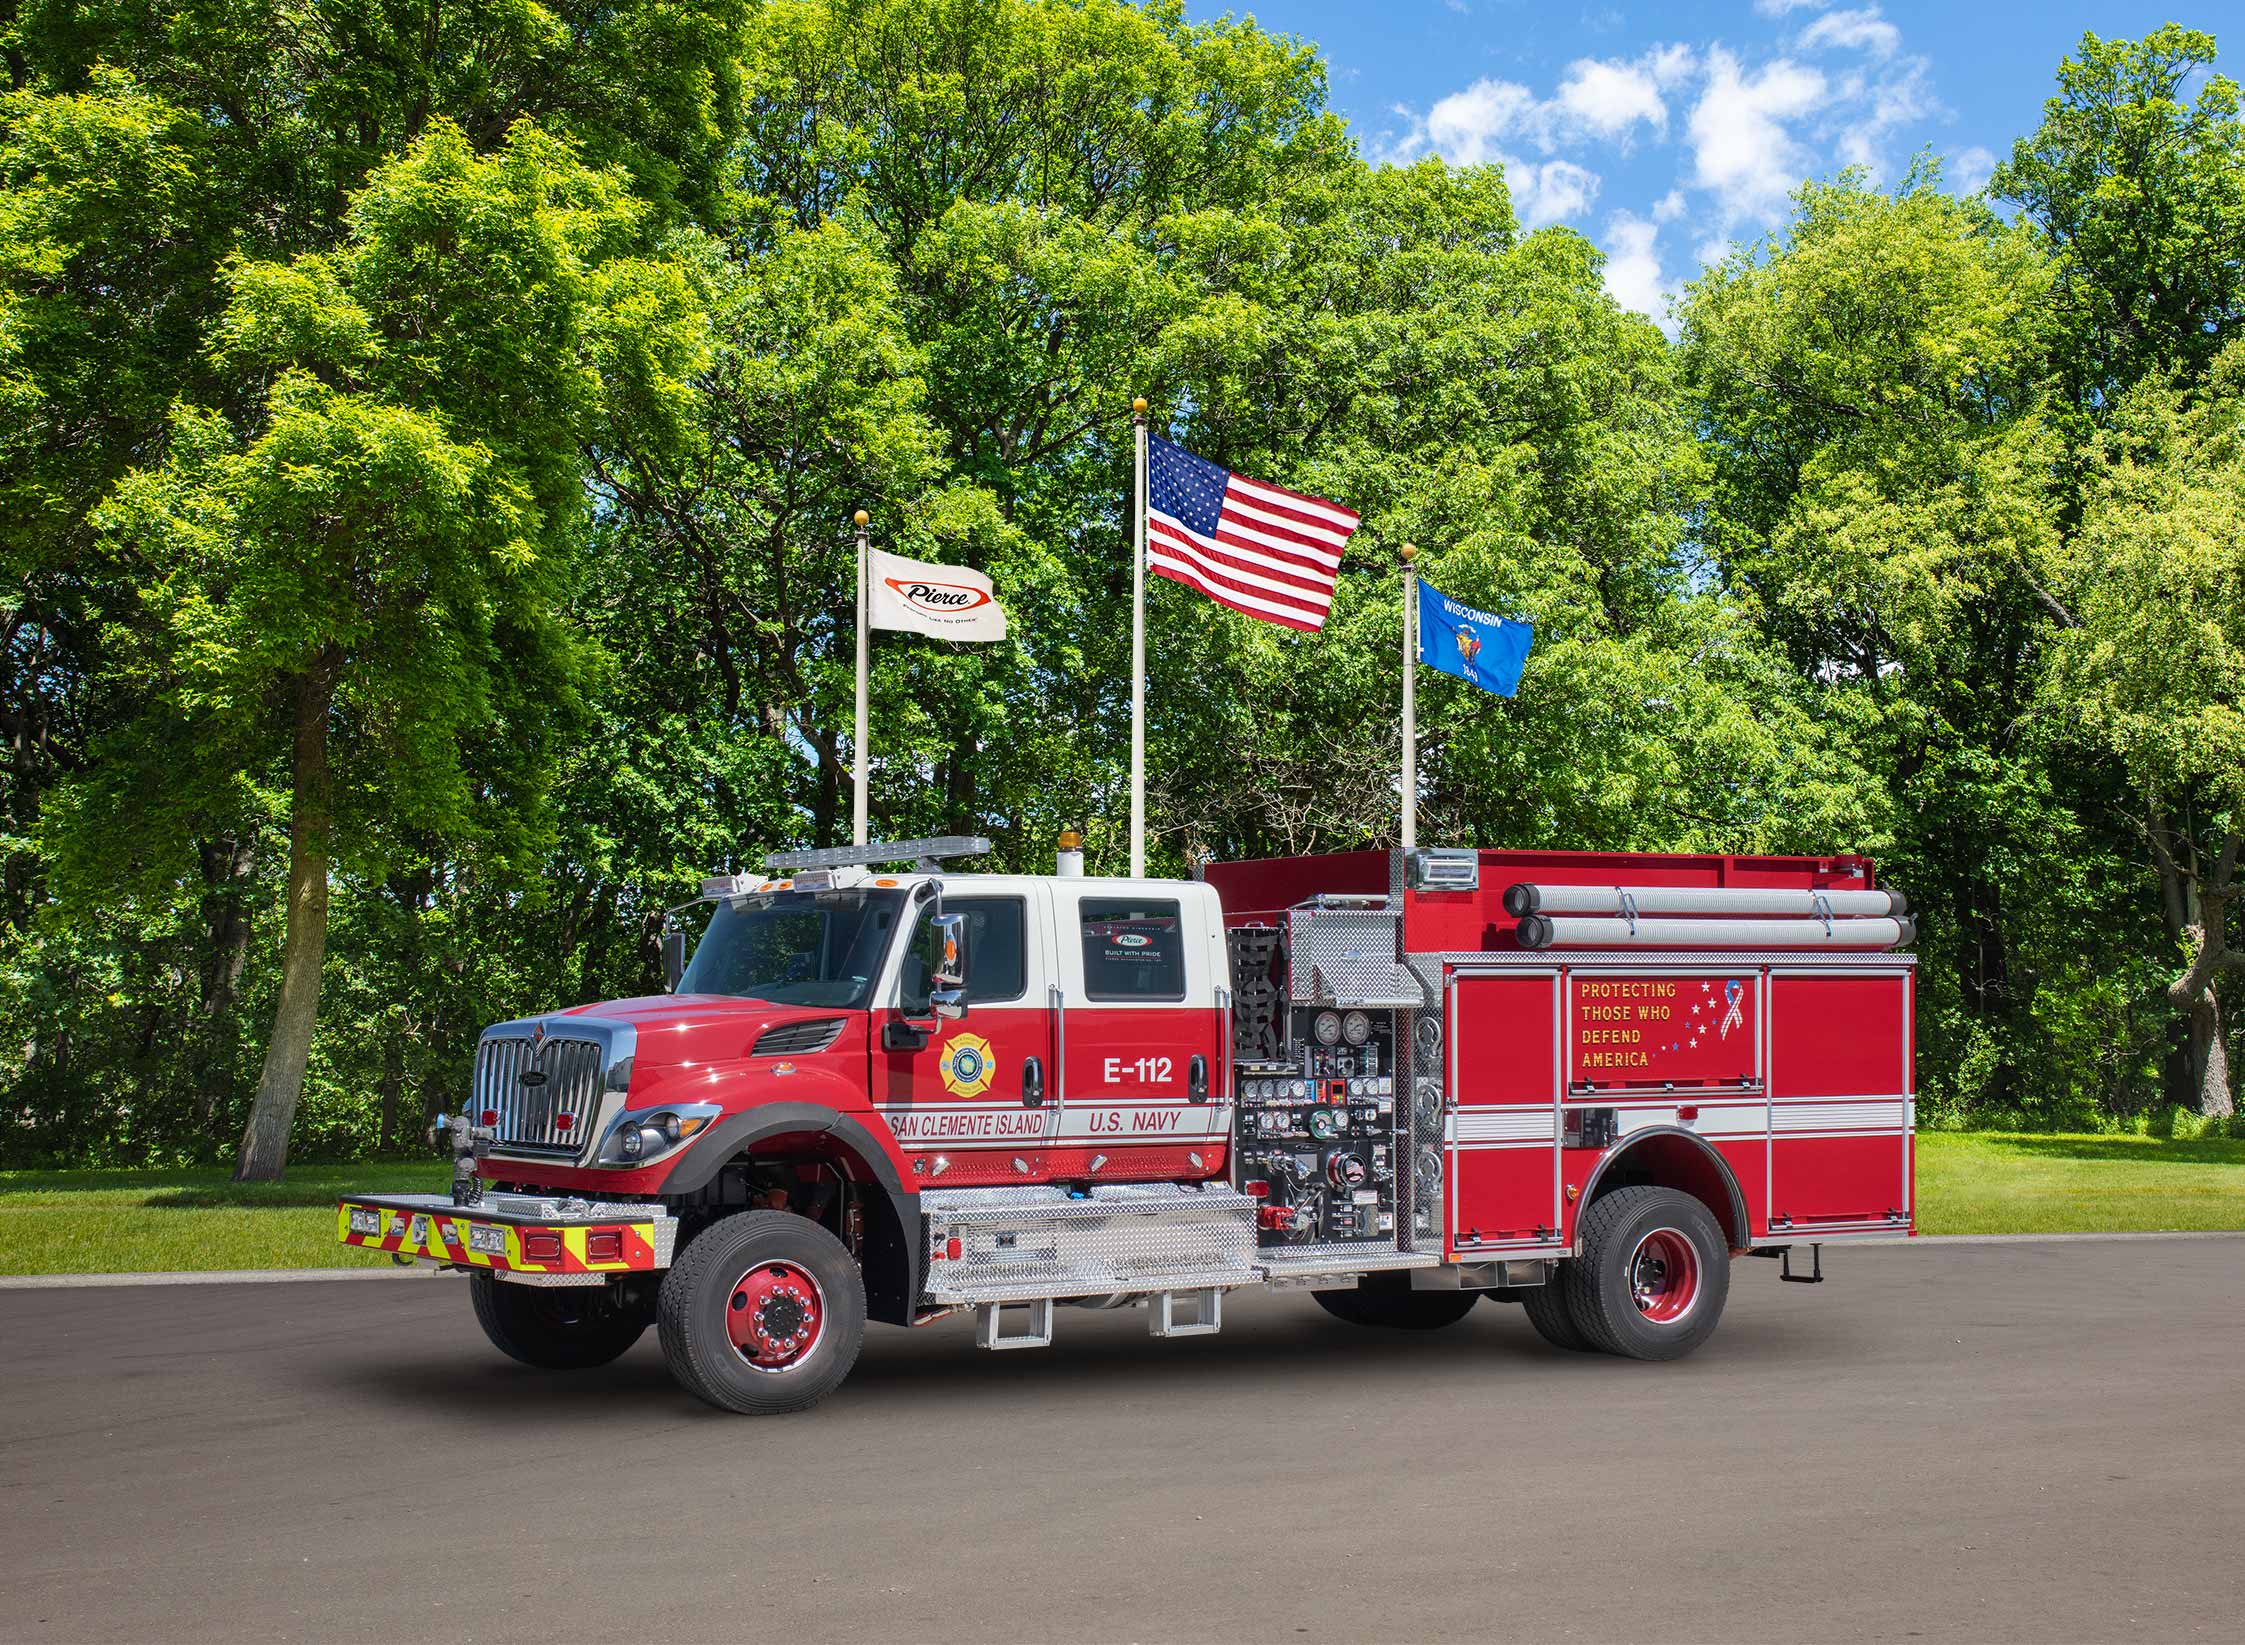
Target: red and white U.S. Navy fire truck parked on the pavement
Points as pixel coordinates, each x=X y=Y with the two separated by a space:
x=1398 y=1081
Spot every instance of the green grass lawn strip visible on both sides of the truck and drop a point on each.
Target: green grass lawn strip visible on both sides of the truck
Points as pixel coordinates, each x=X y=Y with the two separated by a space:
x=1968 y=1184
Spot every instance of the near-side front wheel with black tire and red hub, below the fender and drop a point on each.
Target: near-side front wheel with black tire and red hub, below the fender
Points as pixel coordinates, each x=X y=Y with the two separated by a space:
x=803 y=1276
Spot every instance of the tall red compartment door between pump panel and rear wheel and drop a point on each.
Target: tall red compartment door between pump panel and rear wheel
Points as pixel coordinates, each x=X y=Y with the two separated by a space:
x=1501 y=1137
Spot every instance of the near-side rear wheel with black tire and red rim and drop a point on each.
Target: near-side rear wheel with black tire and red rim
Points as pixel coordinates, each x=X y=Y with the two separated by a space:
x=1653 y=1274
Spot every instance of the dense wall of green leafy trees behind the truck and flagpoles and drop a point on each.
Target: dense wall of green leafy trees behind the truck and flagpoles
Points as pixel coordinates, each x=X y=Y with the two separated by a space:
x=488 y=392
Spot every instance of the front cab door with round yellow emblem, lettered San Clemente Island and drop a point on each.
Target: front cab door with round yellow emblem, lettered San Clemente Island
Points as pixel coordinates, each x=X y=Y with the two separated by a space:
x=973 y=1096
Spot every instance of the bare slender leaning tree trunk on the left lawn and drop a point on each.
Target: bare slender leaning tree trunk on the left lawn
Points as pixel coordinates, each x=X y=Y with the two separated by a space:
x=306 y=944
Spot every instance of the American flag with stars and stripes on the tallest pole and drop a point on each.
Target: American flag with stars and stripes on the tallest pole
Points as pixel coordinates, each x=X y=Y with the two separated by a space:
x=1245 y=544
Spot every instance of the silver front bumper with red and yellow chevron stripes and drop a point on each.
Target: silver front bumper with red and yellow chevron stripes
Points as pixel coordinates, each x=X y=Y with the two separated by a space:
x=520 y=1238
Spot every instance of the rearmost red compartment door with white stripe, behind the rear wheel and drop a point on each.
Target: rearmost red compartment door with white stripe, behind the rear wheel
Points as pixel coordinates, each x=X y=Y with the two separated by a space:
x=1840 y=1099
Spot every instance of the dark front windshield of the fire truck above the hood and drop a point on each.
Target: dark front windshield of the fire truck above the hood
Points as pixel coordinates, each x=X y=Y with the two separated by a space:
x=796 y=948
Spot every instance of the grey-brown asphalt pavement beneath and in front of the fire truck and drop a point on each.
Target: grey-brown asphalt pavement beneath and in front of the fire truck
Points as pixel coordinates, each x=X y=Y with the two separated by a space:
x=1943 y=1442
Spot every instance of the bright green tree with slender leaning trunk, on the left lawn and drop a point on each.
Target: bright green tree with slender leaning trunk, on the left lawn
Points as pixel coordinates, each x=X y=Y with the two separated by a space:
x=360 y=582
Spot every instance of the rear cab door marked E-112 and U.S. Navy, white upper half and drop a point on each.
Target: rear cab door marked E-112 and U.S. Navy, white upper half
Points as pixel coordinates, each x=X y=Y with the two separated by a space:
x=1142 y=1031
